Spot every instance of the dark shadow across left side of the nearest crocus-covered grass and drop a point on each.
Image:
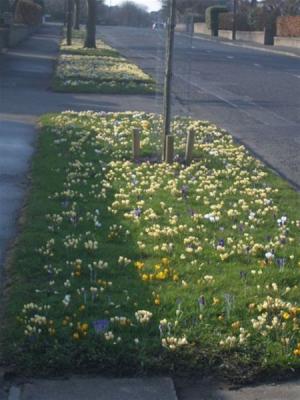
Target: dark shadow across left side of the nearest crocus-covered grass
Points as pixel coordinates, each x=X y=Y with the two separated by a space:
x=42 y=279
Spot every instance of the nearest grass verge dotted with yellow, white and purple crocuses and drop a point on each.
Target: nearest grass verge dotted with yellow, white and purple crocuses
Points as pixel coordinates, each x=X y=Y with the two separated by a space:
x=196 y=240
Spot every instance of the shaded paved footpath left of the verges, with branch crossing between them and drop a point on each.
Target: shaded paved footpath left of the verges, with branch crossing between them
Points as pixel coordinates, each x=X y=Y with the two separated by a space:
x=25 y=76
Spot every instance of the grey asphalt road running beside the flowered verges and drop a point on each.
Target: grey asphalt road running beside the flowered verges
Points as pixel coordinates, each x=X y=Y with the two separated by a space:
x=253 y=94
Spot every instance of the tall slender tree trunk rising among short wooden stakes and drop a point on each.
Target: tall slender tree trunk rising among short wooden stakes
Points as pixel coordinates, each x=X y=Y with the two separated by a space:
x=168 y=75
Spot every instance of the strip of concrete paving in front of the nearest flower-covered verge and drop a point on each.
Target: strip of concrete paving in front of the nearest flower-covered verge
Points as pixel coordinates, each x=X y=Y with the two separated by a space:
x=148 y=389
